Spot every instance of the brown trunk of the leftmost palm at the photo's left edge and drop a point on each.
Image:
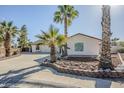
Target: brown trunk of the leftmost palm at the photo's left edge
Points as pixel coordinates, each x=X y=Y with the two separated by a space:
x=7 y=44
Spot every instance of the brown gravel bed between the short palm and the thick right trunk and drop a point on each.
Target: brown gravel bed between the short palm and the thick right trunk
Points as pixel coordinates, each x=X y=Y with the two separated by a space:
x=80 y=63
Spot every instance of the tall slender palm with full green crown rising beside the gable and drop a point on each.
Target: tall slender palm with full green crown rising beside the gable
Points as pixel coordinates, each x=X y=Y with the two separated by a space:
x=65 y=14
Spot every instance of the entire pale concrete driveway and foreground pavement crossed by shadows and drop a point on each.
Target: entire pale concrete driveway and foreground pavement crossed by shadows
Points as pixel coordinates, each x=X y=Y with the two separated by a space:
x=25 y=71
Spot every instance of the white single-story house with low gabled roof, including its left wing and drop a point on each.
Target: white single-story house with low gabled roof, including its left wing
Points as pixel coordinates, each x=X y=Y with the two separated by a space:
x=78 y=44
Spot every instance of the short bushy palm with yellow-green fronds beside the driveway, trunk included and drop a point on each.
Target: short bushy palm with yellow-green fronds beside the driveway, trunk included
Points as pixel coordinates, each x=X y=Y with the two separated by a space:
x=52 y=38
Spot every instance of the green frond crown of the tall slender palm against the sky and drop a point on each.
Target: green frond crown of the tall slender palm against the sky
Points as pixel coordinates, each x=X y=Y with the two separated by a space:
x=67 y=11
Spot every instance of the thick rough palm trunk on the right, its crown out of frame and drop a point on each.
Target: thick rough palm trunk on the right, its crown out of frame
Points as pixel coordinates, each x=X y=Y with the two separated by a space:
x=105 y=59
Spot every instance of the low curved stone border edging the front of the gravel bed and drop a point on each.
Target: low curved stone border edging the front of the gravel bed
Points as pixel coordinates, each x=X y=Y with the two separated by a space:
x=94 y=74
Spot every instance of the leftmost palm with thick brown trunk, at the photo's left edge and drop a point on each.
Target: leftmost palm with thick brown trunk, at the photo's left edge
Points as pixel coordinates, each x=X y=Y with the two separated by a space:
x=7 y=31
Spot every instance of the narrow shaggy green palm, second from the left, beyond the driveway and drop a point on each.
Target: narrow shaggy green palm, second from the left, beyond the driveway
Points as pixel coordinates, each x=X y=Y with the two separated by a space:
x=23 y=39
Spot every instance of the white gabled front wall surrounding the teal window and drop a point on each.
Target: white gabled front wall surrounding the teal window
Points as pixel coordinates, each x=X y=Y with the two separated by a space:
x=91 y=46
